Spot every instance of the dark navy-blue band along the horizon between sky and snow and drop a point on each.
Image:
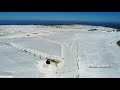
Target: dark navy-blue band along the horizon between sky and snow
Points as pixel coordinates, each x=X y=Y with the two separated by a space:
x=51 y=22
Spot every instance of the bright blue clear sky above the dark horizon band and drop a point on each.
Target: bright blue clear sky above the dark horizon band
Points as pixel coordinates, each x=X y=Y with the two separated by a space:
x=71 y=16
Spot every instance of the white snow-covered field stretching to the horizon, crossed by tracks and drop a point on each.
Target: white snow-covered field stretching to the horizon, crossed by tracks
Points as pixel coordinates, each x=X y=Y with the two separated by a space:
x=84 y=51
